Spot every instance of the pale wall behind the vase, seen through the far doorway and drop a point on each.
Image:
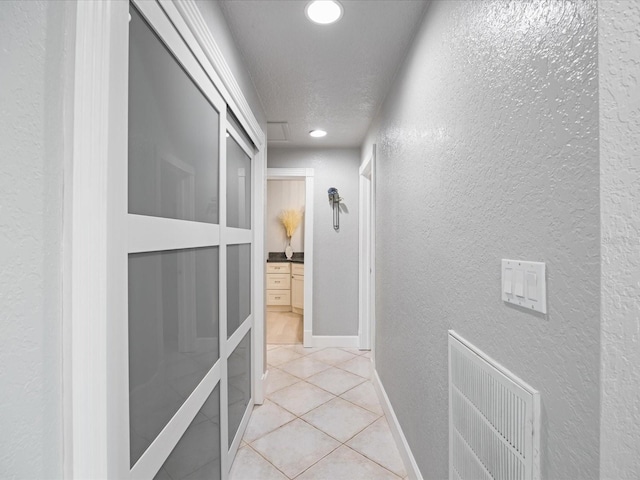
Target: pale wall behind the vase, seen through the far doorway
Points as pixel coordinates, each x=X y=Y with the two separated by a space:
x=282 y=195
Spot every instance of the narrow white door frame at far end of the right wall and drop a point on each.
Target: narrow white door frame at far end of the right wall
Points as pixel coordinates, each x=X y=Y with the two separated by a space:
x=367 y=228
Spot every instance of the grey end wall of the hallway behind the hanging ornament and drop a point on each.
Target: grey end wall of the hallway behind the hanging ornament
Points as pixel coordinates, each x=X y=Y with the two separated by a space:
x=335 y=259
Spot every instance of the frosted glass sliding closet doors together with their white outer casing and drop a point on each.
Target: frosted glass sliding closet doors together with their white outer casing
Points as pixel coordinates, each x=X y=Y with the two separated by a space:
x=162 y=261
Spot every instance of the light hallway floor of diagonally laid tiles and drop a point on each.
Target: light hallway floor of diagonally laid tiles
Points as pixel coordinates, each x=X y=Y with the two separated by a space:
x=321 y=420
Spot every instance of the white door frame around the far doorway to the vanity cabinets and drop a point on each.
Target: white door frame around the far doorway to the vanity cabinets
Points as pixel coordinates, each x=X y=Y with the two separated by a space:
x=306 y=174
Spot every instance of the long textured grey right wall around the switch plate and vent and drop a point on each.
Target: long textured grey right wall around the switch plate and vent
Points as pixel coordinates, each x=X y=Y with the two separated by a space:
x=488 y=149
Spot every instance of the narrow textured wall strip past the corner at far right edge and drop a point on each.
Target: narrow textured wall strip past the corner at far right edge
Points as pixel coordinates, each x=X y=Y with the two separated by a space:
x=619 y=62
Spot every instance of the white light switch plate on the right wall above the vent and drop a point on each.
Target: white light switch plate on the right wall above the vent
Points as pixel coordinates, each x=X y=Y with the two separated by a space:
x=534 y=296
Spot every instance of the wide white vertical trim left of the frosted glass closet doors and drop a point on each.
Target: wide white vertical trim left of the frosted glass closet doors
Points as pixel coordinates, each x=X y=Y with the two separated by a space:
x=97 y=283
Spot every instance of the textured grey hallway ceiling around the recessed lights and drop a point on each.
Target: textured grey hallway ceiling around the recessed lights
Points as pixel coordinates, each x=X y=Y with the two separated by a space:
x=332 y=77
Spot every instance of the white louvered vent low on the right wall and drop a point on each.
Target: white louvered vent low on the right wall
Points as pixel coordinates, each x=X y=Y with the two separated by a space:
x=494 y=418
